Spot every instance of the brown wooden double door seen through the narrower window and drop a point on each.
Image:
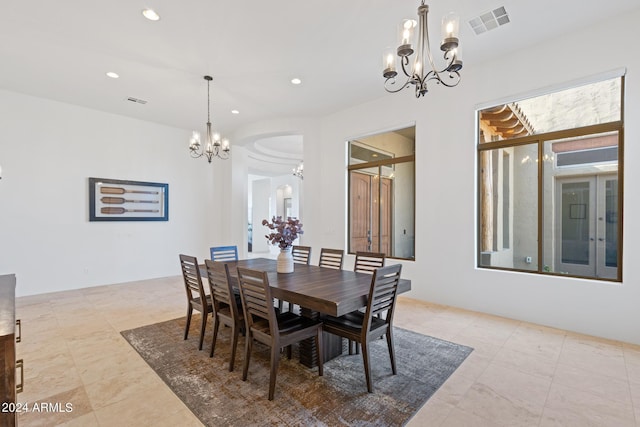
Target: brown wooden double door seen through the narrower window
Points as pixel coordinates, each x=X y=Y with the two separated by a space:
x=370 y=213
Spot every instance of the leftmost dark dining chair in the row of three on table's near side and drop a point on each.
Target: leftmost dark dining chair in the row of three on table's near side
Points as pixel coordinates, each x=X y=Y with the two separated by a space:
x=196 y=296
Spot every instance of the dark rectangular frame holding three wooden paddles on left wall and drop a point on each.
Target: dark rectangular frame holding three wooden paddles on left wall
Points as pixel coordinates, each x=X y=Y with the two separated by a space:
x=121 y=200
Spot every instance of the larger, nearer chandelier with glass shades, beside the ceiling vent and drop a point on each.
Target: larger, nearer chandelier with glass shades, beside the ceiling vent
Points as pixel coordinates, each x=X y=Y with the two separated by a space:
x=423 y=69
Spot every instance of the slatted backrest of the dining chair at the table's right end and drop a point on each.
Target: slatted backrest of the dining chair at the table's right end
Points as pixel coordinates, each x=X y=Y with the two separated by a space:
x=383 y=294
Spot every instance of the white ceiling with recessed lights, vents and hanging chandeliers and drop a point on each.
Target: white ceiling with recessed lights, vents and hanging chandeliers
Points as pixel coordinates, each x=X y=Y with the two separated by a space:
x=62 y=49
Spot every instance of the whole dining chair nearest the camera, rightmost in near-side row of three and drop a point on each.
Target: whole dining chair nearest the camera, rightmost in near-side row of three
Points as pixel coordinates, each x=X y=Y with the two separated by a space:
x=276 y=331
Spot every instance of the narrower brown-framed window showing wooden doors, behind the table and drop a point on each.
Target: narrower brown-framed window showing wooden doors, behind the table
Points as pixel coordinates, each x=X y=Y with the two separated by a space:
x=381 y=194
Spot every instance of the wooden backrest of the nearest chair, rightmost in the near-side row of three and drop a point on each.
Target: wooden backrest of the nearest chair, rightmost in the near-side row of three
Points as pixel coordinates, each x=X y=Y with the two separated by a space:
x=257 y=301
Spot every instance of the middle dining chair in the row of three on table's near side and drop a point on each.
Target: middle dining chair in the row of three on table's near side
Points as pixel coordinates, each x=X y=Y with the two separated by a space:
x=226 y=310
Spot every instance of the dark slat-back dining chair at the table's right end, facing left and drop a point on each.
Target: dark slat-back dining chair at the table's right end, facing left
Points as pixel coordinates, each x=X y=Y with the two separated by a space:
x=364 y=327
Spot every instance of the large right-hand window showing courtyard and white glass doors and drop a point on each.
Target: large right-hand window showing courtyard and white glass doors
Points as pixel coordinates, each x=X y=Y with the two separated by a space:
x=550 y=183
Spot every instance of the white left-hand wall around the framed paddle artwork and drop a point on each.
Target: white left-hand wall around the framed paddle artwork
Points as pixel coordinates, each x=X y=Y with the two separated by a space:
x=48 y=150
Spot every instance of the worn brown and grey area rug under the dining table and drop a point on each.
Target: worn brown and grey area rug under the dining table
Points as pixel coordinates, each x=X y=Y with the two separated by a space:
x=302 y=398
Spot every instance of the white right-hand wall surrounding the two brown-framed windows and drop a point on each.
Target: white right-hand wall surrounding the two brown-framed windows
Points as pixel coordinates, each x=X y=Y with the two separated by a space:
x=445 y=268
